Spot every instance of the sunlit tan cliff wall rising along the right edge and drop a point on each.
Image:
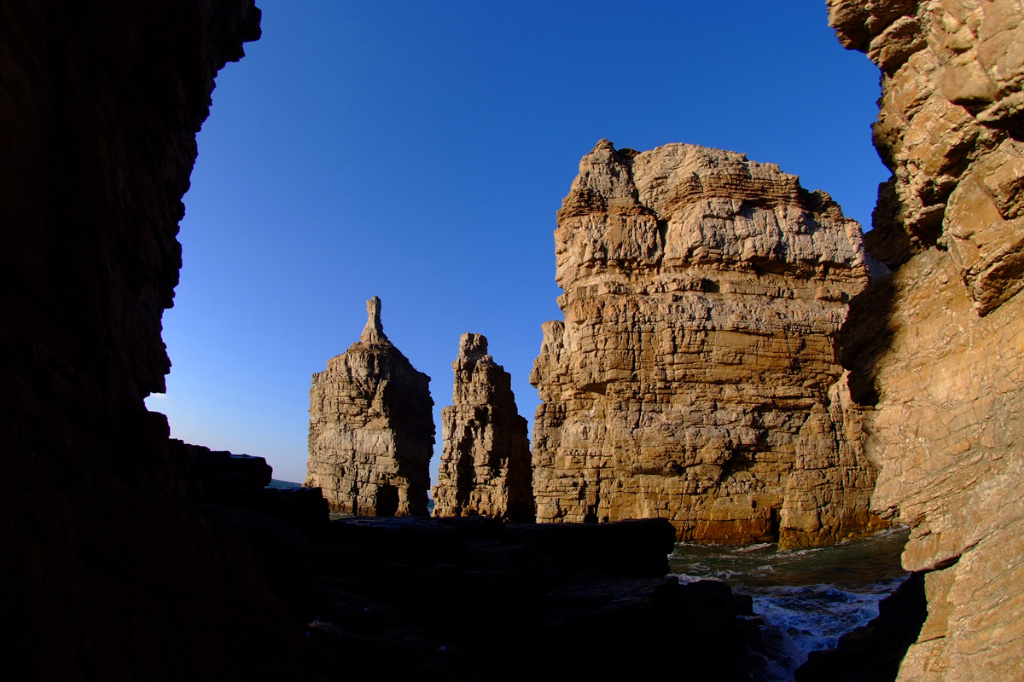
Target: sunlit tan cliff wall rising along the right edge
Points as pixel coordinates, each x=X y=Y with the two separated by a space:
x=940 y=349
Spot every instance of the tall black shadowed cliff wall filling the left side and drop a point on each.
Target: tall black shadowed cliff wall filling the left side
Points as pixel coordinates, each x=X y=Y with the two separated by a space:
x=106 y=572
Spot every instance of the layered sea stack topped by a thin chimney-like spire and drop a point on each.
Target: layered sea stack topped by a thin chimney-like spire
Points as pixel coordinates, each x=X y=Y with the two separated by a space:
x=371 y=429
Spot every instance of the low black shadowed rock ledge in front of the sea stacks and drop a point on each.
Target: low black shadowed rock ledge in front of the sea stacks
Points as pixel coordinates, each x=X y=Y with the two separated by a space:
x=387 y=598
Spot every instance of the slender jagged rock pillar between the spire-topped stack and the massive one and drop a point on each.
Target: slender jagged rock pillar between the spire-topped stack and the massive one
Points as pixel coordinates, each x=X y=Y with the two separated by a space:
x=486 y=463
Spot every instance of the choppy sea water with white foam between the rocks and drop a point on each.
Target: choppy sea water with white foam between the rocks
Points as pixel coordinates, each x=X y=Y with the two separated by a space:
x=808 y=599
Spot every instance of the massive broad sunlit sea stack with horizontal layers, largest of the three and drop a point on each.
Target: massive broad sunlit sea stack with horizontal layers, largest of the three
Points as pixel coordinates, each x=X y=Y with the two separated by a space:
x=696 y=377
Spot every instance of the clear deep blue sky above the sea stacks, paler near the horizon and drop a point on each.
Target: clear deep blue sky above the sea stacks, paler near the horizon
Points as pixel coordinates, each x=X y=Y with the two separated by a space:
x=418 y=152
